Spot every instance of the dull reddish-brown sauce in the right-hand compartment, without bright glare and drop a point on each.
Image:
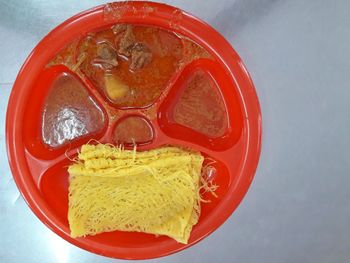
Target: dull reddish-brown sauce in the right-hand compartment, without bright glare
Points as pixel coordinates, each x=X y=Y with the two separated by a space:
x=201 y=107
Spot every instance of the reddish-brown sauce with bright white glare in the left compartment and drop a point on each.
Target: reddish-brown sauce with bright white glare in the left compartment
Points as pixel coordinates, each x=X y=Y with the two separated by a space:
x=69 y=112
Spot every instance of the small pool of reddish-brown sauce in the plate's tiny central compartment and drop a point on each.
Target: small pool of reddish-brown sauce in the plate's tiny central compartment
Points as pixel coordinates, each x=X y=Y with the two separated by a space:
x=133 y=129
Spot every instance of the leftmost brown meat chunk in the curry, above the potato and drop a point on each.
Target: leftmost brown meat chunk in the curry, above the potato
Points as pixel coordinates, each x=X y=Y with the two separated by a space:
x=106 y=56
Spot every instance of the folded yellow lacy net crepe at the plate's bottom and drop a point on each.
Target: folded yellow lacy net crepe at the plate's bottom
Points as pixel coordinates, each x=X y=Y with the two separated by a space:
x=154 y=191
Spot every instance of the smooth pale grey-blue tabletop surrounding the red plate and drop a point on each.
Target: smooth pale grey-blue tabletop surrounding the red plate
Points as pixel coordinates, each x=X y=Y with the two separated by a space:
x=298 y=206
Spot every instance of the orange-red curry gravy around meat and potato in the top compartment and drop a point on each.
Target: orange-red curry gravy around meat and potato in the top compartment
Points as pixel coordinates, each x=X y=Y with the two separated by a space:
x=144 y=85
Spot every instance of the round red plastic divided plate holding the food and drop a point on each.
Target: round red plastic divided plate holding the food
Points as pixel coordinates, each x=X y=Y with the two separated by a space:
x=41 y=174
